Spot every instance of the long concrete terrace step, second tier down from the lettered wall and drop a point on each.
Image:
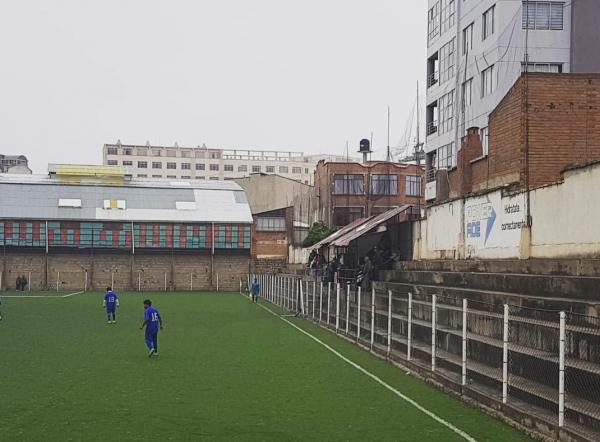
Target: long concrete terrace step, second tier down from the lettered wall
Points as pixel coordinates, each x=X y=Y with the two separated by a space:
x=545 y=286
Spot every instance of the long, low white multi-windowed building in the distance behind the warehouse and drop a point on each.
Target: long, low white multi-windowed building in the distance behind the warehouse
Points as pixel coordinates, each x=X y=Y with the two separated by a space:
x=203 y=163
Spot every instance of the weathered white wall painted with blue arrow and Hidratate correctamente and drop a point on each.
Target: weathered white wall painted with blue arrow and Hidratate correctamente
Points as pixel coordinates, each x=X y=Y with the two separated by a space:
x=493 y=225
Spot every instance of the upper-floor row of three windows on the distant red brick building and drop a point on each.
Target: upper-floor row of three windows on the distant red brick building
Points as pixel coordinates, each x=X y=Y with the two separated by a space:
x=380 y=184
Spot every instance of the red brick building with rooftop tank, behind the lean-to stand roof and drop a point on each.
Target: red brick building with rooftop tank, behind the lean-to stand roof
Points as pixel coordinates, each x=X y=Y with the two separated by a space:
x=347 y=191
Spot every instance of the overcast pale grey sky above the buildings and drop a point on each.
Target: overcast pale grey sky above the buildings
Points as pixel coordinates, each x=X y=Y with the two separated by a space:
x=275 y=74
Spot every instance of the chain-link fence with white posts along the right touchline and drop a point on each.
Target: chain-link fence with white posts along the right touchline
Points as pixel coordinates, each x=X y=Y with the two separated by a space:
x=546 y=359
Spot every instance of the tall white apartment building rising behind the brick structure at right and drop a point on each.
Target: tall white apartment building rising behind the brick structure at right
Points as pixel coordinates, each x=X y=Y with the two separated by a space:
x=476 y=52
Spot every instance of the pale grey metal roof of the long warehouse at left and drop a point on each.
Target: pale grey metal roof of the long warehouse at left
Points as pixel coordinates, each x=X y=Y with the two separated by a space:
x=101 y=198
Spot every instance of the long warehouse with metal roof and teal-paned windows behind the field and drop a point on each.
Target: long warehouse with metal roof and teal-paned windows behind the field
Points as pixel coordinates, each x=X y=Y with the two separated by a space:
x=87 y=227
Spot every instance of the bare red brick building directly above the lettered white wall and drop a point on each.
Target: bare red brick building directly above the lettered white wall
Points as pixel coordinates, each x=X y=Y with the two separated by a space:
x=545 y=123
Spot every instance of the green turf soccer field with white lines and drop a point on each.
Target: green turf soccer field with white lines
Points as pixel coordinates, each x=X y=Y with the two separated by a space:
x=227 y=370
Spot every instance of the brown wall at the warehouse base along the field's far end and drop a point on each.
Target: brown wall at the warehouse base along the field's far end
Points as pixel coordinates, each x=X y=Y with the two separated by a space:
x=143 y=271
